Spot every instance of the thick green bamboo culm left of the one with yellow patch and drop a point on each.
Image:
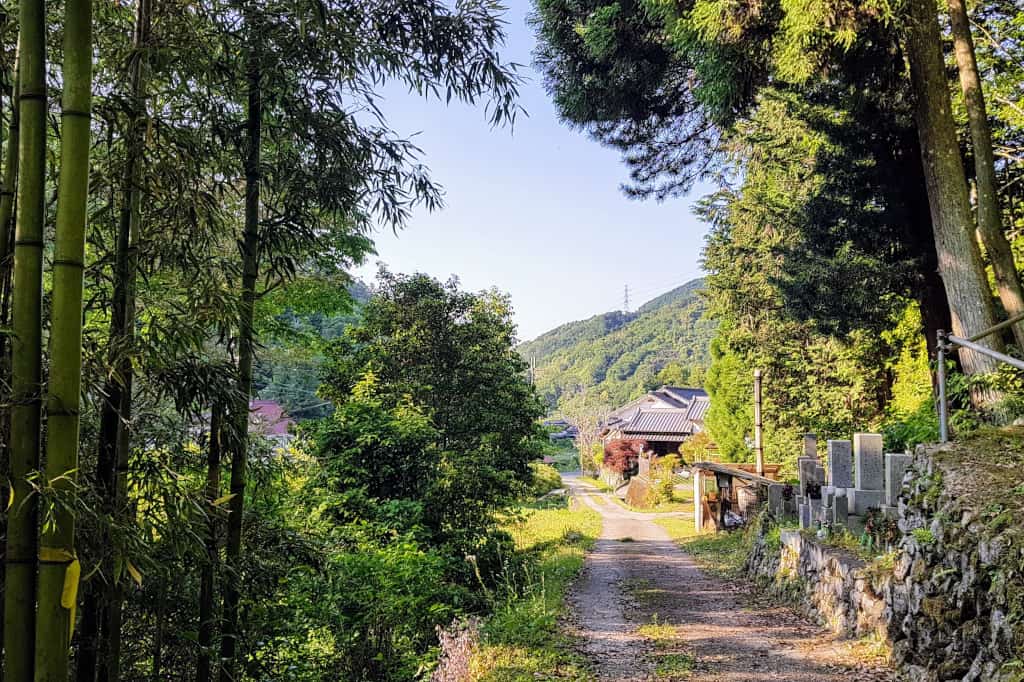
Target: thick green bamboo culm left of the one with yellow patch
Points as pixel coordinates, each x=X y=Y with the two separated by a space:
x=20 y=596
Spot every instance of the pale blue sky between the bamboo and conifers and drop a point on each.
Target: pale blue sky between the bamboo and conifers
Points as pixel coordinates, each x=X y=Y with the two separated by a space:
x=536 y=211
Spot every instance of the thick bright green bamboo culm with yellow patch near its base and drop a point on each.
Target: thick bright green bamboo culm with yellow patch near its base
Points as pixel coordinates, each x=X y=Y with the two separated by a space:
x=59 y=569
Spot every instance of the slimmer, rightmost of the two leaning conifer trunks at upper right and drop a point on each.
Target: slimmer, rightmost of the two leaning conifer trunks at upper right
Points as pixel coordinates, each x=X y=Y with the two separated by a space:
x=1008 y=281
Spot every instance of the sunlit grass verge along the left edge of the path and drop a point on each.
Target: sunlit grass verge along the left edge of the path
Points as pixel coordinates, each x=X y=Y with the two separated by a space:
x=522 y=642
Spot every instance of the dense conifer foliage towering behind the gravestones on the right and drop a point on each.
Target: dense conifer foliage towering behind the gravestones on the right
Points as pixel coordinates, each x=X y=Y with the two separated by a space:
x=823 y=236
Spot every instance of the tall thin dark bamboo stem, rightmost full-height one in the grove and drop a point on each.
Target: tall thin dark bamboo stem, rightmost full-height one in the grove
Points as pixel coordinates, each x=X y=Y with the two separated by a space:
x=240 y=413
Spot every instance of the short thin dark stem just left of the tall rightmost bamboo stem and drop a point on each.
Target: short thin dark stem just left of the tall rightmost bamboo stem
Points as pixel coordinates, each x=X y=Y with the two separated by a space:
x=207 y=612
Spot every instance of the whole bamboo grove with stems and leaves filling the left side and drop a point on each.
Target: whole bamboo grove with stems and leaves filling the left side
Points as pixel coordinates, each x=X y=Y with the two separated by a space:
x=175 y=176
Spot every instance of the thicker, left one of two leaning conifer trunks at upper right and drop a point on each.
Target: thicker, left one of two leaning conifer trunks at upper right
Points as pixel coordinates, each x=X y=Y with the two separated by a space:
x=959 y=257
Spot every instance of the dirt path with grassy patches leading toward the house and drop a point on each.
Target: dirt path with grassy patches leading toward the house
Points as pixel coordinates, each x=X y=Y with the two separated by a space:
x=644 y=611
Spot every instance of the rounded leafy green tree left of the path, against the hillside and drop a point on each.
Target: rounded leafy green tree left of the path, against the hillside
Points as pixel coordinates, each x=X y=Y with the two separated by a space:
x=450 y=354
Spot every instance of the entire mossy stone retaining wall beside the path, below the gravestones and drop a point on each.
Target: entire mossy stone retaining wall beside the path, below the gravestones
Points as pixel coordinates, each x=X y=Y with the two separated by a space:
x=951 y=599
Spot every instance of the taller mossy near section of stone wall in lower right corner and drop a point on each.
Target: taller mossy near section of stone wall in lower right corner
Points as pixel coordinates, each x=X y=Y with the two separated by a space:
x=956 y=607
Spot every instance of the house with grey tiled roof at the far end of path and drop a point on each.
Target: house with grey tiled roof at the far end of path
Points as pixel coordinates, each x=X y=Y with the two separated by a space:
x=665 y=418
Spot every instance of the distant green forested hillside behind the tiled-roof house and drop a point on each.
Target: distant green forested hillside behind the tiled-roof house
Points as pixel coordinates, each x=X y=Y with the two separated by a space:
x=619 y=356
